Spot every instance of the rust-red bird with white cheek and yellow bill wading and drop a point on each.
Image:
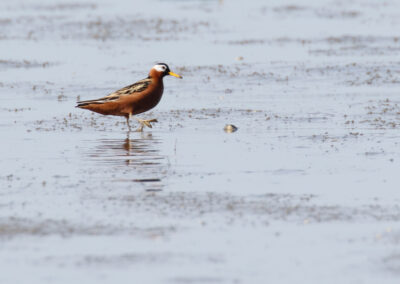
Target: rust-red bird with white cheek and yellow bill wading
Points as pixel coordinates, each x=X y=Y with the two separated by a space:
x=133 y=99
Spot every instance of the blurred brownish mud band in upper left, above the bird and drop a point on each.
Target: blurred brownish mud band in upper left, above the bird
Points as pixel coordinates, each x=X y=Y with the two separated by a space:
x=130 y=27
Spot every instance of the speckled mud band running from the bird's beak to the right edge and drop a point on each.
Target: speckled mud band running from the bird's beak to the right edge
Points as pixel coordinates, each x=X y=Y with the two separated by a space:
x=295 y=75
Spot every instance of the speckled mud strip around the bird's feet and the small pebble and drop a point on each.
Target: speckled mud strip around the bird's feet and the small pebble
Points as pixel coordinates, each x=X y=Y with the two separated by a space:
x=253 y=120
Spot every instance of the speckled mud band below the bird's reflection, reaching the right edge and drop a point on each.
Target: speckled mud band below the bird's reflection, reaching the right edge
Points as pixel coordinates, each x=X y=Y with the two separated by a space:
x=267 y=207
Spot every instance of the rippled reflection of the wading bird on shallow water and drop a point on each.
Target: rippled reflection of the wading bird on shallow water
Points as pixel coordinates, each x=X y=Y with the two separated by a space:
x=135 y=160
